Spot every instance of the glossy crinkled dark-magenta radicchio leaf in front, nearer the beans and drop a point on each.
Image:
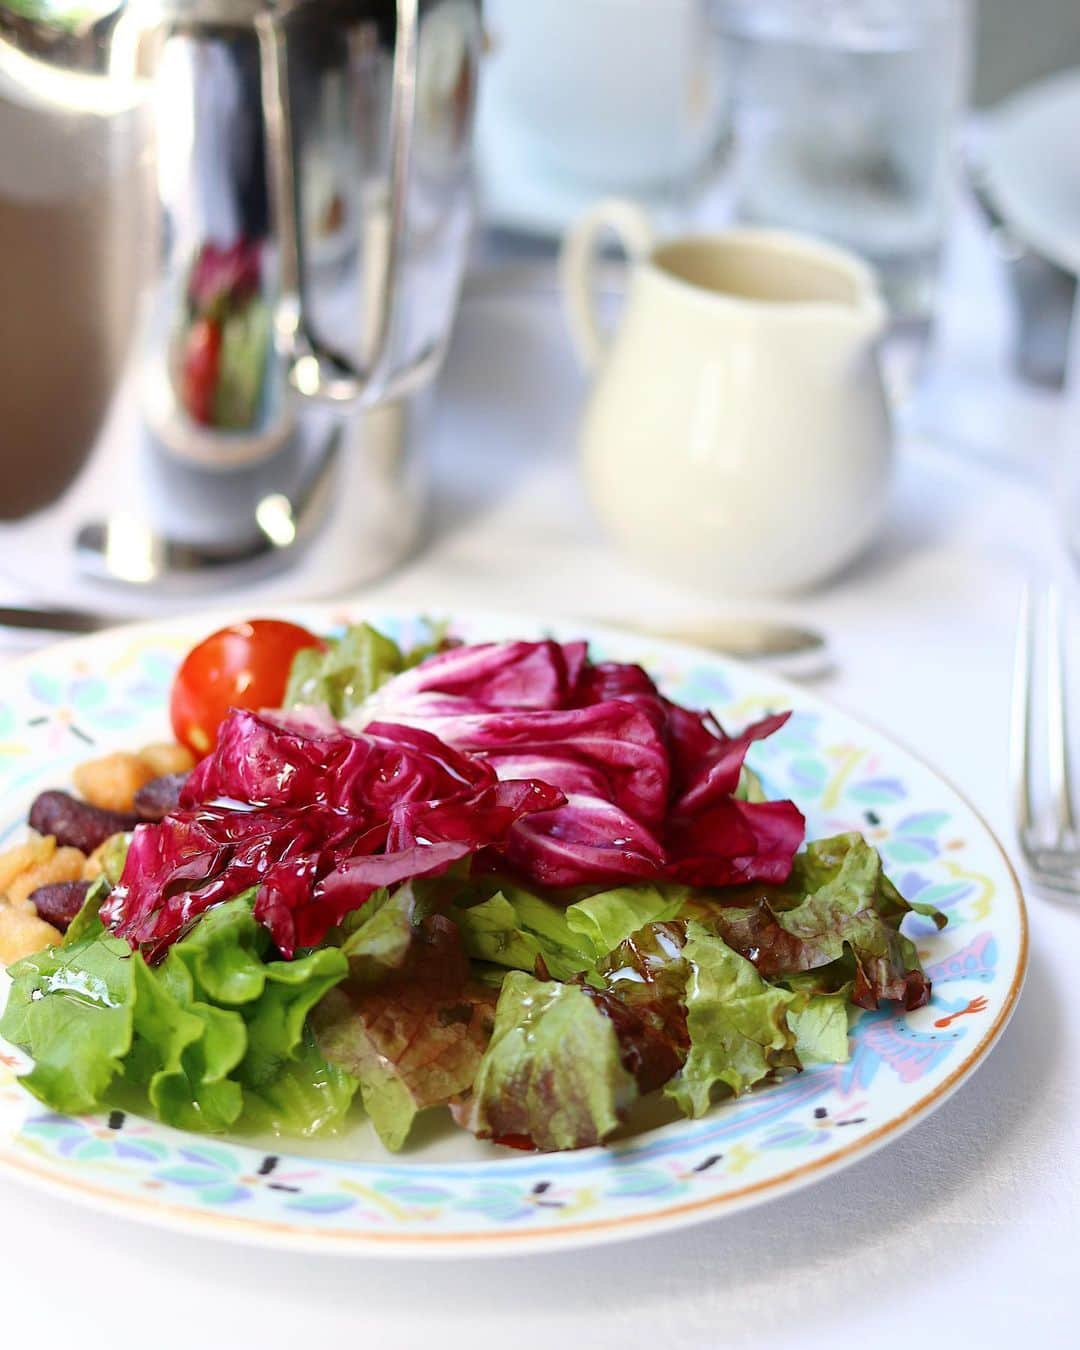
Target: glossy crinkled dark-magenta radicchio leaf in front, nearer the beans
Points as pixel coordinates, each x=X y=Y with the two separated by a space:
x=317 y=820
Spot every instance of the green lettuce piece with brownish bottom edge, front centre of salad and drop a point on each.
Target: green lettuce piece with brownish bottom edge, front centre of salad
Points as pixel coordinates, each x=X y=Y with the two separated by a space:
x=553 y=1074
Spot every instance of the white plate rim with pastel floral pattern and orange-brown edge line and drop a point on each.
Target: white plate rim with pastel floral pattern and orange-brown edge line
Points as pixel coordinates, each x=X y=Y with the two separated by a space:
x=453 y=1195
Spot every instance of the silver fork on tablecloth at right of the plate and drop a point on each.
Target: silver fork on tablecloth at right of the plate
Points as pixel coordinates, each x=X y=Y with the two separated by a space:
x=1048 y=835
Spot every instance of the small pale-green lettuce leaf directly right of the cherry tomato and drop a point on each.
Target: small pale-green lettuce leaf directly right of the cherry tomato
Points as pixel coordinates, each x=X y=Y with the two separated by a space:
x=353 y=668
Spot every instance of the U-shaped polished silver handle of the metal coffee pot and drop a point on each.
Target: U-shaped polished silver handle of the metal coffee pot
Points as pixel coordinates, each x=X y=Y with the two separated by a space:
x=315 y=371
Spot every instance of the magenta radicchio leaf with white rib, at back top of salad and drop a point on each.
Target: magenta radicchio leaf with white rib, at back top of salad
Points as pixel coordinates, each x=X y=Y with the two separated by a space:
x=650 y=786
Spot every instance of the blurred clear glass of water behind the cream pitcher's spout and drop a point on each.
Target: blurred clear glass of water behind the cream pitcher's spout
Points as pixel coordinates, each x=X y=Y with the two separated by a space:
x=844 y=113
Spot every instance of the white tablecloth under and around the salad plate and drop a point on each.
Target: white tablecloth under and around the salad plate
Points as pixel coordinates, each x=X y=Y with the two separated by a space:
x=965 y=1232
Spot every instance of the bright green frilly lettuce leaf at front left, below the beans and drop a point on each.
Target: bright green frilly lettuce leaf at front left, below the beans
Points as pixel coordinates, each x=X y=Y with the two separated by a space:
x=213 y=1036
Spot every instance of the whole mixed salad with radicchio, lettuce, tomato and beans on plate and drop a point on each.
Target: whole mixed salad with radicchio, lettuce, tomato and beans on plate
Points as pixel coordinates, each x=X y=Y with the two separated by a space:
x=506 y=881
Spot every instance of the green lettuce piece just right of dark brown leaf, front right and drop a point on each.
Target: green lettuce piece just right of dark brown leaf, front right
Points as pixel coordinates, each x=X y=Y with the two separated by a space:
x=738 y=1024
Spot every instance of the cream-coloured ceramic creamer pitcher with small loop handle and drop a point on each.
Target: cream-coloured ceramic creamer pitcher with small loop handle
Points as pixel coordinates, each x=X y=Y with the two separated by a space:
x=738 y=434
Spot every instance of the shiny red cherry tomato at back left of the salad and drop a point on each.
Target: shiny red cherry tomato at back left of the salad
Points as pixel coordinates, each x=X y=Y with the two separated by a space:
x=242 y=666
